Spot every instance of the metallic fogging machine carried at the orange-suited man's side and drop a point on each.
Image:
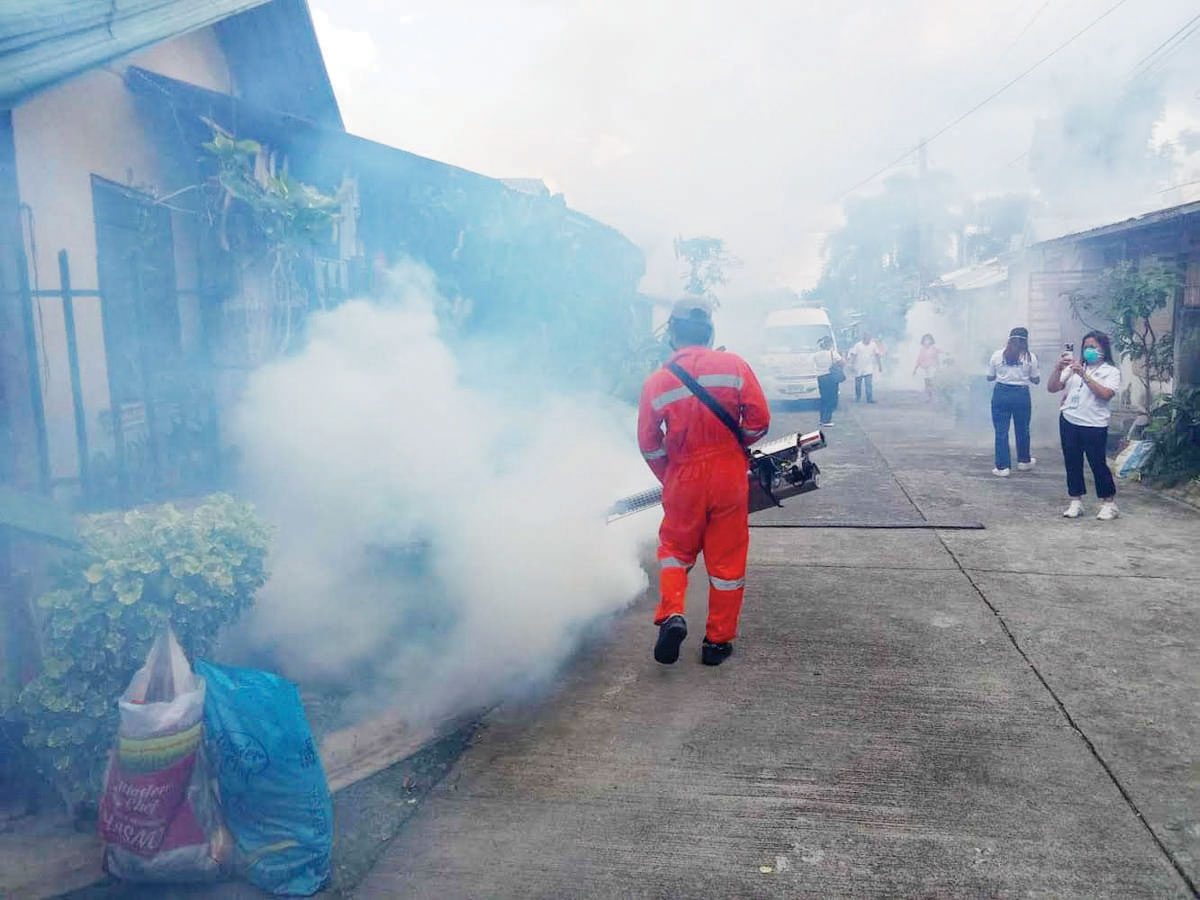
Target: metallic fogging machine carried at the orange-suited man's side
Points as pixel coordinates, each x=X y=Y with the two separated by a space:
x=778 y=470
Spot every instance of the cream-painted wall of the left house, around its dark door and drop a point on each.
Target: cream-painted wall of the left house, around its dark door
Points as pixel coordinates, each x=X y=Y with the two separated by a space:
x=64 y=136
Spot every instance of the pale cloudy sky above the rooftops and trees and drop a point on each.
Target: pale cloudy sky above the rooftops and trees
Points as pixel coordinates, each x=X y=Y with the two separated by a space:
x=752 y=122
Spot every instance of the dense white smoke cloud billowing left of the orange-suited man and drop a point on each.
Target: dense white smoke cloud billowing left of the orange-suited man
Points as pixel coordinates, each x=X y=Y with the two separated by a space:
x=439 y=542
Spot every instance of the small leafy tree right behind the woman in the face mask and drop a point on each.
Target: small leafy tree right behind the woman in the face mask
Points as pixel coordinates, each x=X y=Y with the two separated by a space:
x=1124 y=304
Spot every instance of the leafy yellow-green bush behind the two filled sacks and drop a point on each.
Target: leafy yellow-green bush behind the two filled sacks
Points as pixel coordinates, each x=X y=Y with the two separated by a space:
x=137 y=572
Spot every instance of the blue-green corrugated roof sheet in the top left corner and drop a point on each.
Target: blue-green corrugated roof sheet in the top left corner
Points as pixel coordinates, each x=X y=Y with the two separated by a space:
x=46 y=41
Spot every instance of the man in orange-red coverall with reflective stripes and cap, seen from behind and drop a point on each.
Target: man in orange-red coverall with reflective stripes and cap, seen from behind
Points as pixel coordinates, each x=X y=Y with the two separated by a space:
x=703 y=467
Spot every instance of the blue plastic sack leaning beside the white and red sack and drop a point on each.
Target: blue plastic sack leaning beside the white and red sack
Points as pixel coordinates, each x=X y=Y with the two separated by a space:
x=273 y=787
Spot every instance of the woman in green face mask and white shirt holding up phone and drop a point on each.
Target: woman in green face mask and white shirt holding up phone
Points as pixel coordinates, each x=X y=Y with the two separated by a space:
x=1091 y=383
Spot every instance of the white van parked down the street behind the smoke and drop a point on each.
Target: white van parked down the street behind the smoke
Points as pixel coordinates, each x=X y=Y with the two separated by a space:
x=794 y=358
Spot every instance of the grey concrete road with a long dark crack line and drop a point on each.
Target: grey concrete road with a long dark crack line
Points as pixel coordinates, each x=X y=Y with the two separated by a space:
x=910 y=712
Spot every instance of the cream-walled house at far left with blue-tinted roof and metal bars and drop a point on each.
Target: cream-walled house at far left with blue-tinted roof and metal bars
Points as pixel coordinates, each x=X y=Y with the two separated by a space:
x=101 y=295
